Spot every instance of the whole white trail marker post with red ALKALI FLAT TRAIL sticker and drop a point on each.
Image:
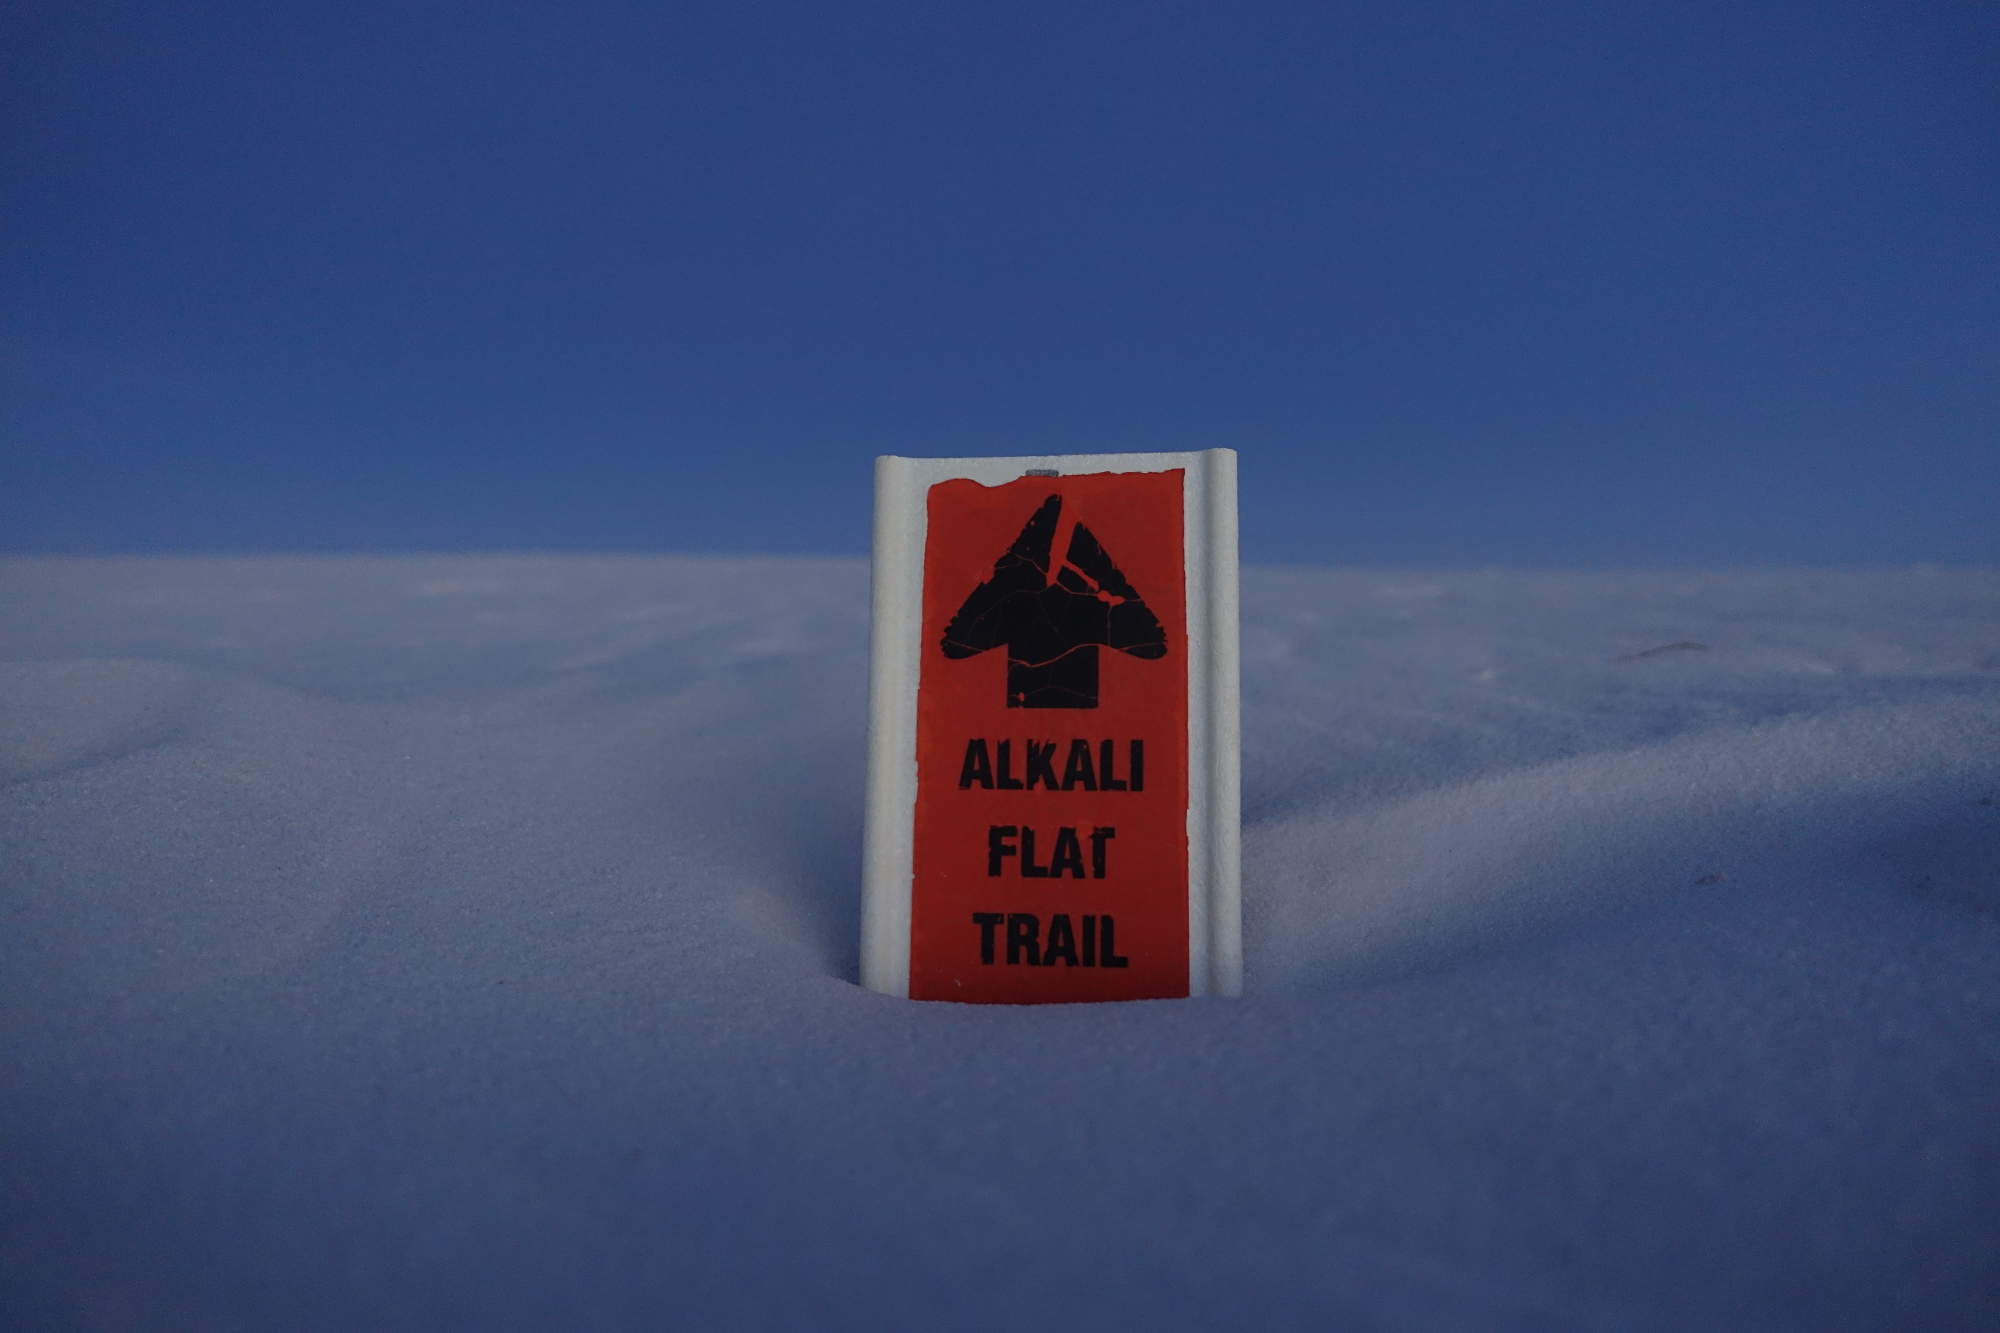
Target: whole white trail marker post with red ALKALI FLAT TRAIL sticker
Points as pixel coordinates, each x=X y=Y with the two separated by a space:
x=1053 y=746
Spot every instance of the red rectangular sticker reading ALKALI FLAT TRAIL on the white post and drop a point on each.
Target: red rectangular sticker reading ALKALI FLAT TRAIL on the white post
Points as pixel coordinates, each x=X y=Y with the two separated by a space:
x=1051 y=846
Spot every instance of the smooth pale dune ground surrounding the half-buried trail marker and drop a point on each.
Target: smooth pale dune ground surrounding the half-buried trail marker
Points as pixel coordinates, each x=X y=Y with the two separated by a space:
x=469 y=944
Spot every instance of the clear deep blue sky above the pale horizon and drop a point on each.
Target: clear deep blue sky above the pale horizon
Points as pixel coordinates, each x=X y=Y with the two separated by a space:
x=1577 y=285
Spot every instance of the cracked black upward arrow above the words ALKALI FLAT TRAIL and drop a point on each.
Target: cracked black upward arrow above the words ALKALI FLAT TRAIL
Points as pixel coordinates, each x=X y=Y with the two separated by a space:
x=1055 y=619
